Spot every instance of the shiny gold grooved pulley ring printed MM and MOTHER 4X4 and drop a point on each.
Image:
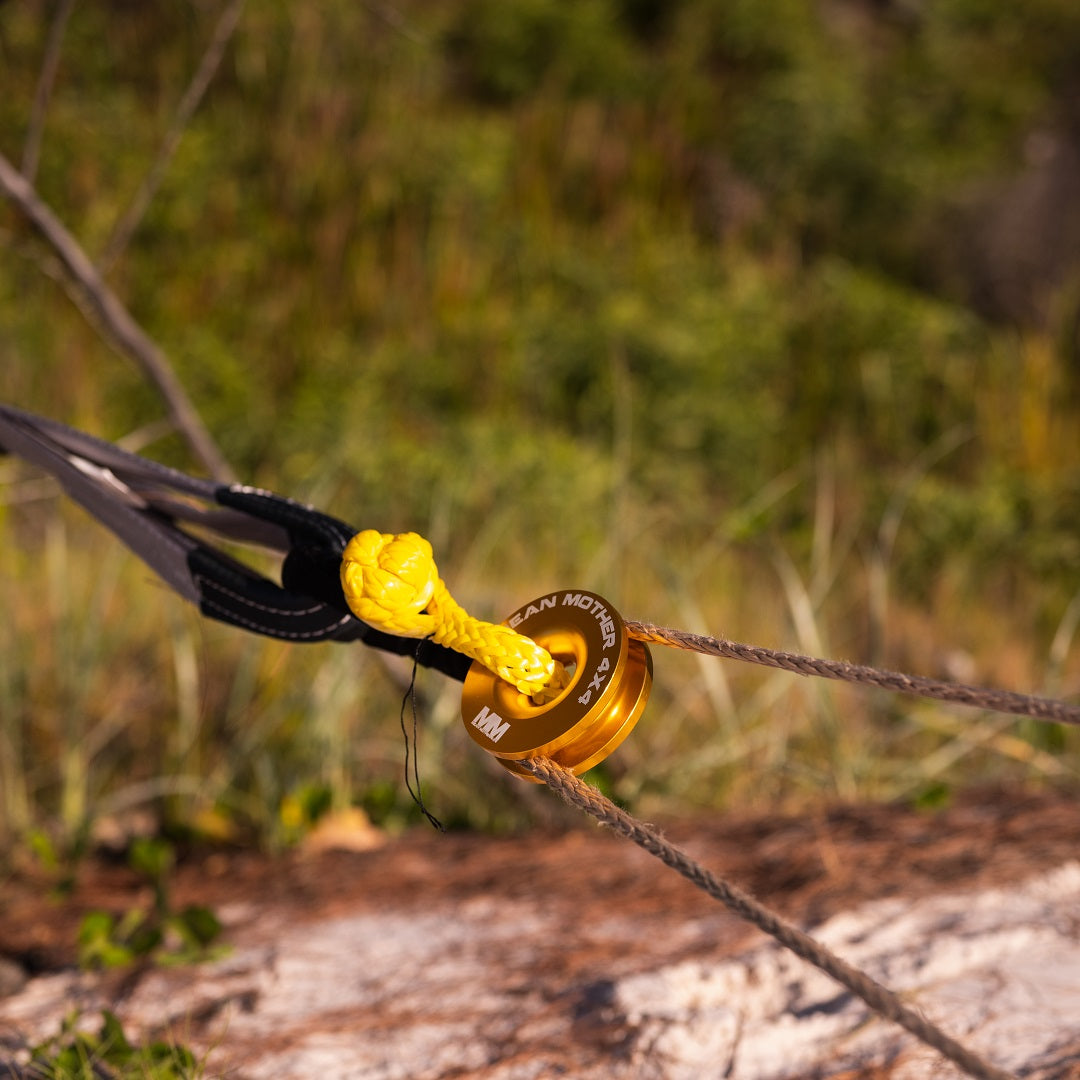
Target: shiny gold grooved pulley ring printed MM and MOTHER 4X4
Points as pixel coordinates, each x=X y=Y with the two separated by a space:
x=610 y=685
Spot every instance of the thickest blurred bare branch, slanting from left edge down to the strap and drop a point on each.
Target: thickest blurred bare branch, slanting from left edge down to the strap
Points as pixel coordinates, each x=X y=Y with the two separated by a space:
x=114 y=320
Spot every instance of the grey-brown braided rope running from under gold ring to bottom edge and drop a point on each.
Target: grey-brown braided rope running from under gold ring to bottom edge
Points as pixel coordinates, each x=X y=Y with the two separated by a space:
x=884 y=1002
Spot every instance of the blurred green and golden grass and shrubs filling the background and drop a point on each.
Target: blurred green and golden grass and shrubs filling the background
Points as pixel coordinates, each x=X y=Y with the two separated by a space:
x=759 y=317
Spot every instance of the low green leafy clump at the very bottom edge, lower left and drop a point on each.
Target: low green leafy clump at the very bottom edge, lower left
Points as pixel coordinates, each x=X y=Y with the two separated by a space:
x=77 y=1055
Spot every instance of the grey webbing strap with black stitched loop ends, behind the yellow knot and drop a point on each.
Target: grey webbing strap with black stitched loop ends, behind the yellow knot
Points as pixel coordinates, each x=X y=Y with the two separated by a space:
x=145 y=505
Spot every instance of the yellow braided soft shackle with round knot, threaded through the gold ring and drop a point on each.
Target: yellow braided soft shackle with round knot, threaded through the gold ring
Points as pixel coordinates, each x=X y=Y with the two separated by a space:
x=394 y=585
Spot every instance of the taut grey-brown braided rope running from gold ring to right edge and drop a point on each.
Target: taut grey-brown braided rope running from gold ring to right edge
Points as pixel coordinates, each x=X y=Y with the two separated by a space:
x=1002 y=701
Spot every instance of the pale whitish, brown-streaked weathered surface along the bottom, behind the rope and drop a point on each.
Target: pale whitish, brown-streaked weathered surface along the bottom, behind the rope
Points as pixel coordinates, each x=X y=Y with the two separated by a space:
x=487 y=989
